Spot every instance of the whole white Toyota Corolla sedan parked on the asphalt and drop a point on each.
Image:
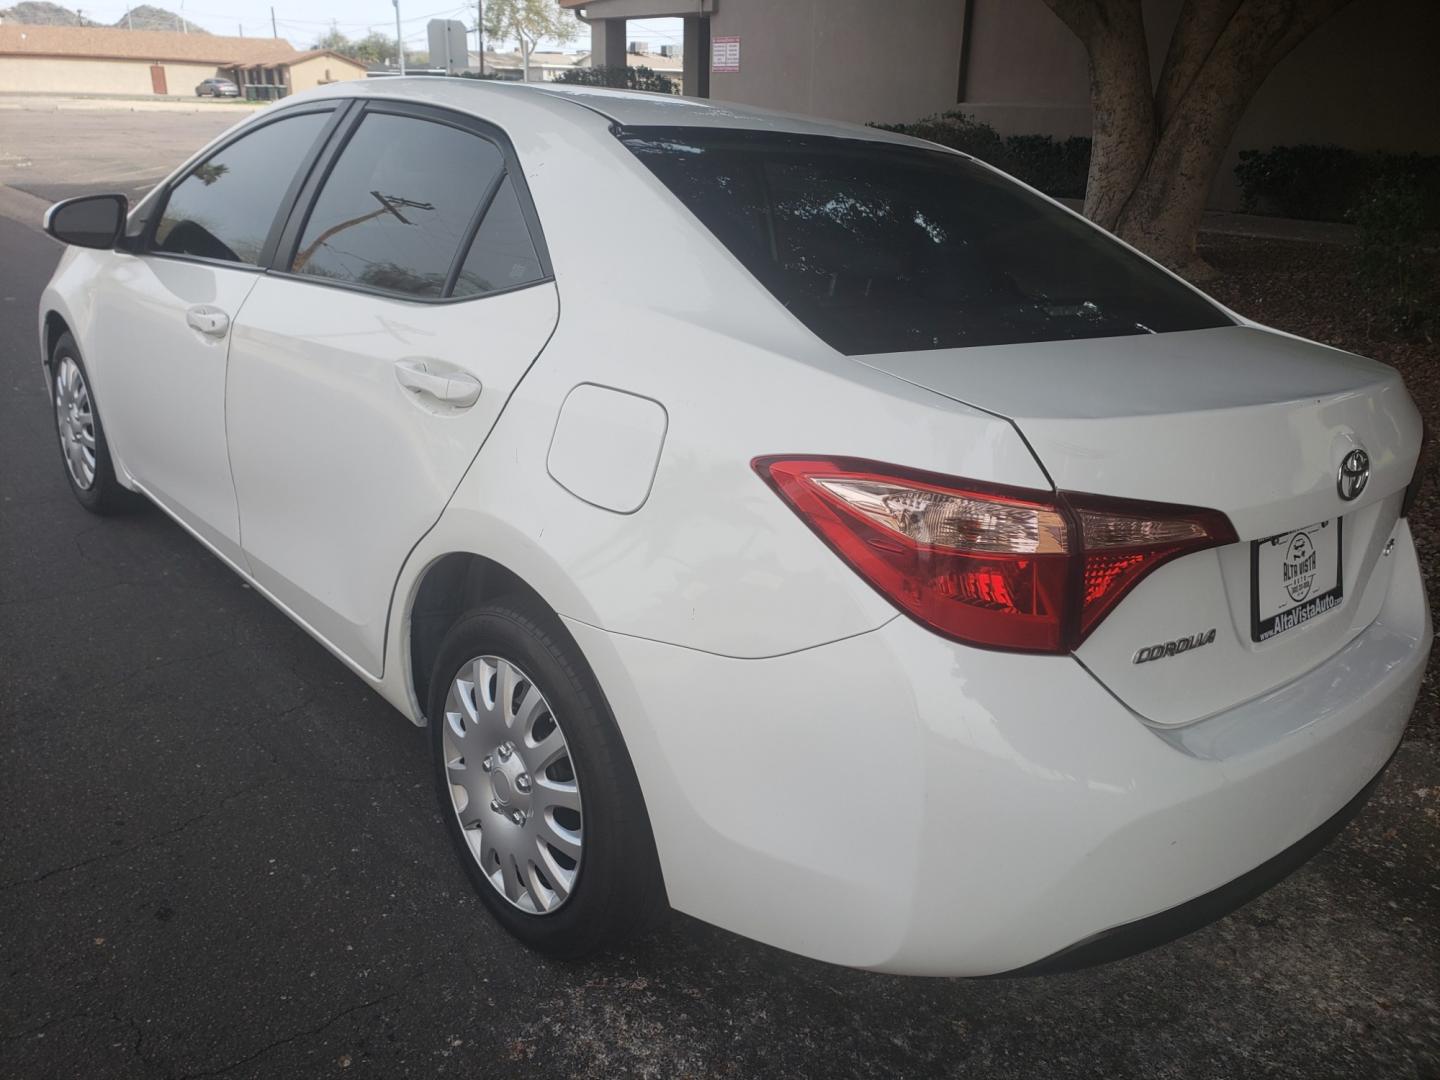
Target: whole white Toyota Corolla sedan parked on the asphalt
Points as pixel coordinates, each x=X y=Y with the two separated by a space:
x=797 y=525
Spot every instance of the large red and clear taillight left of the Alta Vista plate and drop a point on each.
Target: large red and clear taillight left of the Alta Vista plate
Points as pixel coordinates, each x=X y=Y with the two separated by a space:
x=987 y=565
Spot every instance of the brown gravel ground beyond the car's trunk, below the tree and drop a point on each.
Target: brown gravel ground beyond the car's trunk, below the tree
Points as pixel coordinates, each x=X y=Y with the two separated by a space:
x=1314 y=290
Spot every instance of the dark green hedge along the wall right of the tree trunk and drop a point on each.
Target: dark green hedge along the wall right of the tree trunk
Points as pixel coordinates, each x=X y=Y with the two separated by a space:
x=1333 y=184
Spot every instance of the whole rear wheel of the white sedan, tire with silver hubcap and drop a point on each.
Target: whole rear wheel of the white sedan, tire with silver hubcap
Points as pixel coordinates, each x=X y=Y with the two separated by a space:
x=616 y=891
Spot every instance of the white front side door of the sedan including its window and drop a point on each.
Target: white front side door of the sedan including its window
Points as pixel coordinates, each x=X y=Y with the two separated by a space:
x=162 y=319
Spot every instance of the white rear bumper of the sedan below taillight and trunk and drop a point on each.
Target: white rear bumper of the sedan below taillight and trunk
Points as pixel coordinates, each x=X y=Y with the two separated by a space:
x=901 y=803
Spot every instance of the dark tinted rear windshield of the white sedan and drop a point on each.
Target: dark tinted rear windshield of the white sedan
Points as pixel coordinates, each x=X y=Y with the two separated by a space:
x=883 y=248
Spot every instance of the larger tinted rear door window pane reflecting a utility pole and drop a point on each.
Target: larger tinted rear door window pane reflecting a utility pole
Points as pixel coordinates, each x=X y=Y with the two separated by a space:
x=398 y=205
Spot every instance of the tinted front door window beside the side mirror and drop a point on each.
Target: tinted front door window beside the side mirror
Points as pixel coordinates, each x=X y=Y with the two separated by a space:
x=227 y=207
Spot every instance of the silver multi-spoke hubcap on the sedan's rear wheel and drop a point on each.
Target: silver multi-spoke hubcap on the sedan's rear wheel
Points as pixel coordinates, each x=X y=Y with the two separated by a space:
x=513 y=784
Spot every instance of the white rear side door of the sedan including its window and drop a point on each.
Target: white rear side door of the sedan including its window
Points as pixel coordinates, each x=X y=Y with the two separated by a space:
x=410 y=296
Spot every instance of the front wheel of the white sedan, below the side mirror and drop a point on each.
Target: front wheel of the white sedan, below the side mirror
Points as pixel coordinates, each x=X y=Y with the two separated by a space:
x=91 y=474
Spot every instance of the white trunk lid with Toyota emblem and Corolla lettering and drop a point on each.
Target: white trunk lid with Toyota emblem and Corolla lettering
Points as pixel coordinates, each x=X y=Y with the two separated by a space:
x=1239 y=420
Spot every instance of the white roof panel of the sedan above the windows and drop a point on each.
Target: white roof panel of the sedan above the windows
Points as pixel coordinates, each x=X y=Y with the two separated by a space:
x=588 y=104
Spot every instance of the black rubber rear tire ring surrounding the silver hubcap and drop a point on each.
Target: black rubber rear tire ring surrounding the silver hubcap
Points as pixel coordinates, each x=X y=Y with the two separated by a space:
x=618 y=889
